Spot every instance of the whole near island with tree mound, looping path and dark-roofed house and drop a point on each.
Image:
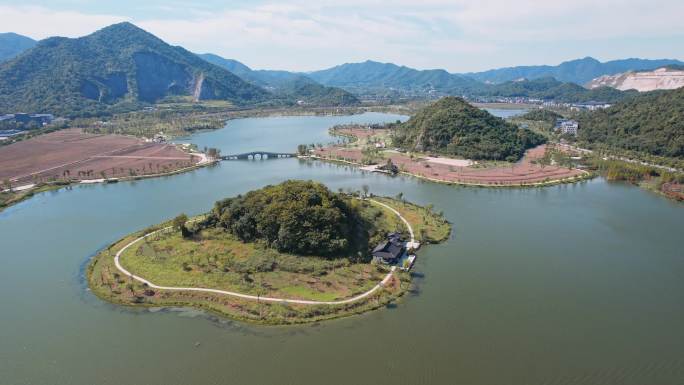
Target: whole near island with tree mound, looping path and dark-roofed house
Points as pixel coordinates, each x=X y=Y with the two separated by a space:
x=289 y=253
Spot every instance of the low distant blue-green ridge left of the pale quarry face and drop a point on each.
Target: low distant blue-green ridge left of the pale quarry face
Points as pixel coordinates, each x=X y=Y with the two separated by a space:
x=551 y=89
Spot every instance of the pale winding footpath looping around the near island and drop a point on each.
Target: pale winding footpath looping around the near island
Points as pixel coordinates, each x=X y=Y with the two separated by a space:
x=254 y=297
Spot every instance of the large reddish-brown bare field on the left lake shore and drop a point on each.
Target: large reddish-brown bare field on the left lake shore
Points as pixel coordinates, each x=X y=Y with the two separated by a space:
x=73 y=155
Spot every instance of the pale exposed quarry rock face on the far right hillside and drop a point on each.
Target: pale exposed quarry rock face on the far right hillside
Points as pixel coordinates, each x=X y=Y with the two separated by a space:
x=660 y=79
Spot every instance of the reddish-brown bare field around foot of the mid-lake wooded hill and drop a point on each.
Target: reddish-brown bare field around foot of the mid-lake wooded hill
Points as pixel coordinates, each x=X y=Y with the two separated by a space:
x=523 y=172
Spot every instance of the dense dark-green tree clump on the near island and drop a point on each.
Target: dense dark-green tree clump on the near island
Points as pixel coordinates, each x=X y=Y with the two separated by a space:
x=295 y=216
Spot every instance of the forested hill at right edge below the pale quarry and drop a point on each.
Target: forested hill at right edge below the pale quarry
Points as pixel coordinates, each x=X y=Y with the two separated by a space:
x=652 y=123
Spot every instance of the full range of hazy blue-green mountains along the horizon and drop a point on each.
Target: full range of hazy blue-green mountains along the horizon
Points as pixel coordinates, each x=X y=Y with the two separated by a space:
x=122 y=66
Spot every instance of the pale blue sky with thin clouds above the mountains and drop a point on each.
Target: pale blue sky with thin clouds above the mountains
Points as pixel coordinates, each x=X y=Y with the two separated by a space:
x=298 y=35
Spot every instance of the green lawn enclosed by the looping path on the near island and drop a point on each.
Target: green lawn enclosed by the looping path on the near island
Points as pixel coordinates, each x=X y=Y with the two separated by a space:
x=216 y=259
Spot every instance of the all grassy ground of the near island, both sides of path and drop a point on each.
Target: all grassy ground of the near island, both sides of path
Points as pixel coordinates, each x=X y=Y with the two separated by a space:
x=216 y=259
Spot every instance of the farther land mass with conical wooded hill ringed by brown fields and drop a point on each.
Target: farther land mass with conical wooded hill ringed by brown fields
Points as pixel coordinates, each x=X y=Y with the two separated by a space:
x=451 y=141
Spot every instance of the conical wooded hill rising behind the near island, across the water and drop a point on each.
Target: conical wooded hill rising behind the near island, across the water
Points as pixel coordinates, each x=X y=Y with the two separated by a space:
x=452 y=126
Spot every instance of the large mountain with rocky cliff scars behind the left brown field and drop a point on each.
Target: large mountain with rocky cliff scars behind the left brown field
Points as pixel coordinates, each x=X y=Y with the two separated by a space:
x=116 y=68
